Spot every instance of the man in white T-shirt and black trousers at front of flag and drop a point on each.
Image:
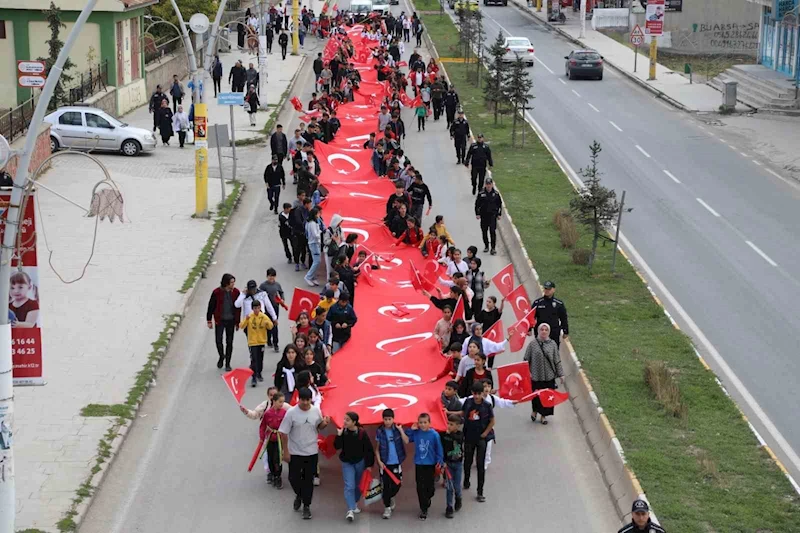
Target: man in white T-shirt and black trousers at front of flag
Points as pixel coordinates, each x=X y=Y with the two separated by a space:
x=298 y=433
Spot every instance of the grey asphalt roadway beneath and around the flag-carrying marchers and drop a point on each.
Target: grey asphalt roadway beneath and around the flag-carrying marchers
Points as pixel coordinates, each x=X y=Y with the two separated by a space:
x=183 y=465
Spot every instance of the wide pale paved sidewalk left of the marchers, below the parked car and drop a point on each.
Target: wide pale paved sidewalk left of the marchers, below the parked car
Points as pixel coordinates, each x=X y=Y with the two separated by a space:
x=97 y=333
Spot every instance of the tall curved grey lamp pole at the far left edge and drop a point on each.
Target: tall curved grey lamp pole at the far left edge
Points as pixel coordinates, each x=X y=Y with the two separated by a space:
x=8 y=511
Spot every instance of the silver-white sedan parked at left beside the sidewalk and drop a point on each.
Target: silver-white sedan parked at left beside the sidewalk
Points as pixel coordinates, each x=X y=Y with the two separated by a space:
x=90 y=128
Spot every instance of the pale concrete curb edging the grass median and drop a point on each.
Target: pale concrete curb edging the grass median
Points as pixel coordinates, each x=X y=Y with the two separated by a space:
x=623 y=485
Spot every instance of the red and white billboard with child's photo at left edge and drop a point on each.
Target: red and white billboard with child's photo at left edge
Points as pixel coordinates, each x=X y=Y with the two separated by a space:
x=24 y=313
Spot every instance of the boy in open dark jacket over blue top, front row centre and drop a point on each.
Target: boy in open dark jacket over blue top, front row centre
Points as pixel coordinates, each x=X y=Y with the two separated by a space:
x=390 y=440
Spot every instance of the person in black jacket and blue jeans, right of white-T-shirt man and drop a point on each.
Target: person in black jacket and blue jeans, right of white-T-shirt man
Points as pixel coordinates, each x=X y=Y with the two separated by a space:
x=357 y=455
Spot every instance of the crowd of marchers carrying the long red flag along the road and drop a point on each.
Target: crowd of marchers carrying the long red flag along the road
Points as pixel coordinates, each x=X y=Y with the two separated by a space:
x=290 y=417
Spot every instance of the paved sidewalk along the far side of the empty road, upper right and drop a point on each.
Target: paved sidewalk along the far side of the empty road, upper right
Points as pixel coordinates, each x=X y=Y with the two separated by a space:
x=669 y=85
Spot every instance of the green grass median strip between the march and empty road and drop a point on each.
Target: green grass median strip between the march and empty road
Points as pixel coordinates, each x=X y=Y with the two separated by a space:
x=704 y=470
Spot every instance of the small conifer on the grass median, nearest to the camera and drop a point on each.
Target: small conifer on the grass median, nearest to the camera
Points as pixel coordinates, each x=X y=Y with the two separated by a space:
x=594 y=205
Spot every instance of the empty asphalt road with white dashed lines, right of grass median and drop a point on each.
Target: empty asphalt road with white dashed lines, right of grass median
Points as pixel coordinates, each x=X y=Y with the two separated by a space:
x=718 y=229
